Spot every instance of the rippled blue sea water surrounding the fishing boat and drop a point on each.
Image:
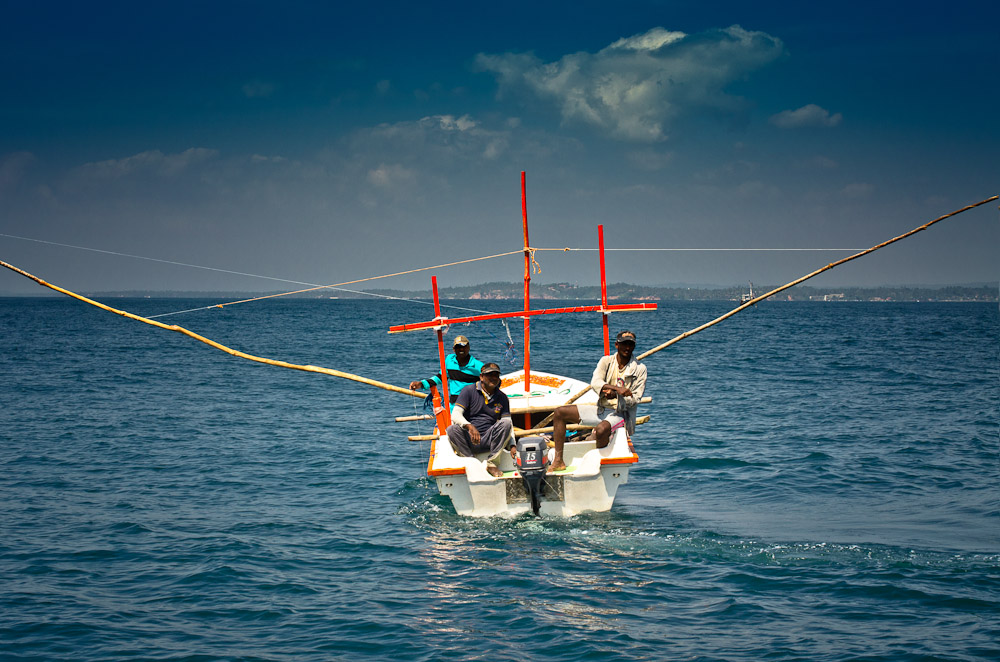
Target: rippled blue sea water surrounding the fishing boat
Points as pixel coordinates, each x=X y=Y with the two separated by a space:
x=819 y=481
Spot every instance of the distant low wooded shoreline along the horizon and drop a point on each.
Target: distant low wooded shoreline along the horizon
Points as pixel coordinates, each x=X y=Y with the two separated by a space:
x=616 y=292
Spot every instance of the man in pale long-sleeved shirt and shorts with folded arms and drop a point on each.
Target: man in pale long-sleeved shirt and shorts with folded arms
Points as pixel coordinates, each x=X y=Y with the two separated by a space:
x=619 y=381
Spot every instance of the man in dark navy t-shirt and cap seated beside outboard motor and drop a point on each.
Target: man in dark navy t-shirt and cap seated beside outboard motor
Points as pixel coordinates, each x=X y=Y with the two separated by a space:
x=481 y=419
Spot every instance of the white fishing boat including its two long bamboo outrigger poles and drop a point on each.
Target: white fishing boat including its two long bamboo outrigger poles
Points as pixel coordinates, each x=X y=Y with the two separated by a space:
x=591 y=479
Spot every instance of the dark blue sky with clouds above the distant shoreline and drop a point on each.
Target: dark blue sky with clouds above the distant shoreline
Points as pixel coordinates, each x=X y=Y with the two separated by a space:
x=257 y=146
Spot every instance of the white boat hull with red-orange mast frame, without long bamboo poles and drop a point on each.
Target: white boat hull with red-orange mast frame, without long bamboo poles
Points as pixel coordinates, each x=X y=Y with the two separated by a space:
x=592 y=475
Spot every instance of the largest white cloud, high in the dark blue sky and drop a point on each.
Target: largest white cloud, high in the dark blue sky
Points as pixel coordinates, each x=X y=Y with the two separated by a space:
x=634 y=88
